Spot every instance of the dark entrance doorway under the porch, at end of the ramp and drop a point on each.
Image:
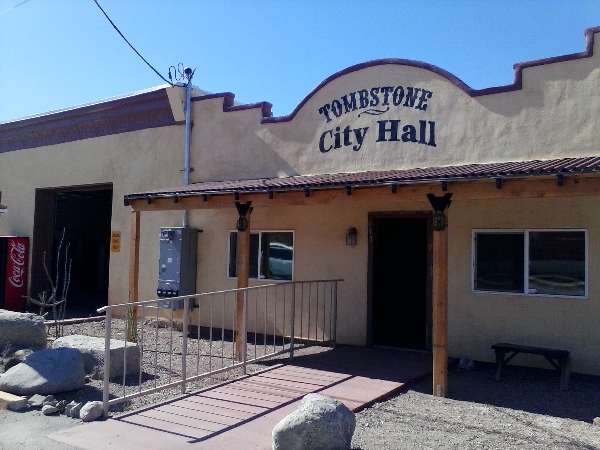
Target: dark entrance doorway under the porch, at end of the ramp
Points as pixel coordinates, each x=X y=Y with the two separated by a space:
x=399 y=281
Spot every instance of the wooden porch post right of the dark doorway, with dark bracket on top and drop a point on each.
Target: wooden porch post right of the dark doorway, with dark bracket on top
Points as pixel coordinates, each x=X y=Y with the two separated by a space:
x=440 y=294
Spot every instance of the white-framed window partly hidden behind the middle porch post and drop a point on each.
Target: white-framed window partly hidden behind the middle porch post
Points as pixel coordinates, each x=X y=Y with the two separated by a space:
x=271 y=255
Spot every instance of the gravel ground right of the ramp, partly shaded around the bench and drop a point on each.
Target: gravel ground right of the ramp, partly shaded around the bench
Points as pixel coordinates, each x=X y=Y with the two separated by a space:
x=524 y=411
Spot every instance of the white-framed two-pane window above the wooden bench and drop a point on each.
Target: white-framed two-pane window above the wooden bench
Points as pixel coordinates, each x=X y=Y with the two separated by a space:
x=550 y=262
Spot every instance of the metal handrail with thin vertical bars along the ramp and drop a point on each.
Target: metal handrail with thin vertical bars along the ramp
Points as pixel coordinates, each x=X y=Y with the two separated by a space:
x=315 y=300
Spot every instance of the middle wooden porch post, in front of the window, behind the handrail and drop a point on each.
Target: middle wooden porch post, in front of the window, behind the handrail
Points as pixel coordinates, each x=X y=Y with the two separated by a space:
x=243 y=274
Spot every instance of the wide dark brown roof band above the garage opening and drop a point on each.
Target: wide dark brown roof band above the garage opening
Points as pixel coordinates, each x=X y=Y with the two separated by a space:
x=147 y=110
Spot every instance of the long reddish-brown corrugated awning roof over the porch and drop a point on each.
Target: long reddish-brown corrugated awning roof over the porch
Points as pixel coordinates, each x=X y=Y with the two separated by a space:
x=466 y=172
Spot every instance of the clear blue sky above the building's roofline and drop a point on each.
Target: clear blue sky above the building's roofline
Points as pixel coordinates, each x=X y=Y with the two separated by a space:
x=60 y=53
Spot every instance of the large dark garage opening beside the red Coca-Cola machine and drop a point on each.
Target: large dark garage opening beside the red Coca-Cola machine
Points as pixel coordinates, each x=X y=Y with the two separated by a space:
x=84 y=213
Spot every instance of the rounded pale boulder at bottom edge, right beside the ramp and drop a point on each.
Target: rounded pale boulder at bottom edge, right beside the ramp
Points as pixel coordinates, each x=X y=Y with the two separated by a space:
x=319 y=423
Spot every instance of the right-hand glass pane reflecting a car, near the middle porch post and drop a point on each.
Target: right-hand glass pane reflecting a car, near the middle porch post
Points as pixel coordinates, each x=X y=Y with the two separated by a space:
x=277 y=255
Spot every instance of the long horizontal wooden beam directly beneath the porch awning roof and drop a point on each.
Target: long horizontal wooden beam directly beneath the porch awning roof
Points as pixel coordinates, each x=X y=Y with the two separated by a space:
x=539 y=187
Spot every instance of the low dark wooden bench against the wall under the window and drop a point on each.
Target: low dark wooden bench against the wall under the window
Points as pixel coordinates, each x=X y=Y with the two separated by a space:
x=560 y=359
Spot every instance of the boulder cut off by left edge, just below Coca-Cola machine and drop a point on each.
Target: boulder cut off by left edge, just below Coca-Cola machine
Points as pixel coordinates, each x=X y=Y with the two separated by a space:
x=21 y=330
